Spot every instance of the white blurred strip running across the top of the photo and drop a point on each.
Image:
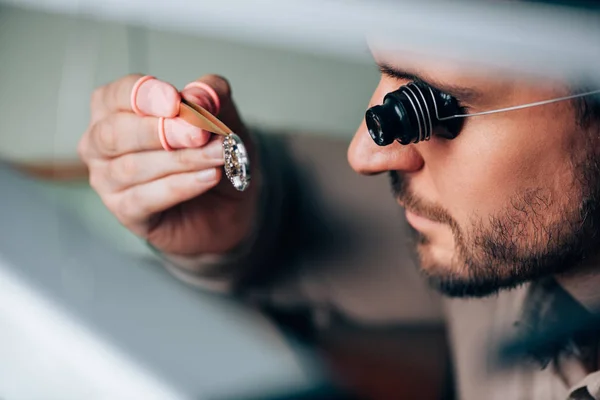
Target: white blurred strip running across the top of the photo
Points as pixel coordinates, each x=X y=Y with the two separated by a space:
x=534 y=38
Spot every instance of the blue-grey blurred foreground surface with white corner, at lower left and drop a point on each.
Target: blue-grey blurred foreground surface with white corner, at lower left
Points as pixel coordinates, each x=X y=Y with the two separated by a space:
x=81 y=320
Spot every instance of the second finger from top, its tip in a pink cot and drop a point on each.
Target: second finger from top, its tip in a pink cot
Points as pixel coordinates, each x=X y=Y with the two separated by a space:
x=124 y=133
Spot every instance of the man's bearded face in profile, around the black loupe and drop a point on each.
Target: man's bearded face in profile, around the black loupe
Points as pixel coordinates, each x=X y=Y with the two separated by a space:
x=514 y=197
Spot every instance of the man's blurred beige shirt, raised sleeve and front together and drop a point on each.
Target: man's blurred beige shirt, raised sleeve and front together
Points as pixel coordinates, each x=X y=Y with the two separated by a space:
x=370 y=277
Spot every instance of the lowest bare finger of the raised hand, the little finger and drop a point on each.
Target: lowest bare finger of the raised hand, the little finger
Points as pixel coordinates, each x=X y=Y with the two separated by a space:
x=139 y=203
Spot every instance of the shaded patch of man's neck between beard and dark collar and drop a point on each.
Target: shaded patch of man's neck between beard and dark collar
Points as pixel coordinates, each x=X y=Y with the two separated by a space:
x=583 y=283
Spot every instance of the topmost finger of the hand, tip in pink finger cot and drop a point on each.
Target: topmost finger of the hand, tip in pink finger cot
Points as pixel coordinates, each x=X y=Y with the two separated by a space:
x=152 y=97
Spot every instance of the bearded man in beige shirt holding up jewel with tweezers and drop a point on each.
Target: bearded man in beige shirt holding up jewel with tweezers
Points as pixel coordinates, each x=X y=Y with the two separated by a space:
x=510 y=208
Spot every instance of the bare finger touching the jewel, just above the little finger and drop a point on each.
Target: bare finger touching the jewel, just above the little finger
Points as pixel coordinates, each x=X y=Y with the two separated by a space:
x=138 y=168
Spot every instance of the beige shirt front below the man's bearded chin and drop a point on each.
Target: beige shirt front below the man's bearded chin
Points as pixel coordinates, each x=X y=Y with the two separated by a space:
x=475 y=326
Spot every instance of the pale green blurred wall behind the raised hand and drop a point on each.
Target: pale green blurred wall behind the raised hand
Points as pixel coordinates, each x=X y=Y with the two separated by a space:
x=49 y=65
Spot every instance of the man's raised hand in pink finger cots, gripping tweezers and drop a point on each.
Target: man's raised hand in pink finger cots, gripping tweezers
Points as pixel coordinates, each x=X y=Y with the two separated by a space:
x=179 y=201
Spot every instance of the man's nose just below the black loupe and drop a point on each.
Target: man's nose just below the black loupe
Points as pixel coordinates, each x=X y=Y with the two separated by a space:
x=367 y=158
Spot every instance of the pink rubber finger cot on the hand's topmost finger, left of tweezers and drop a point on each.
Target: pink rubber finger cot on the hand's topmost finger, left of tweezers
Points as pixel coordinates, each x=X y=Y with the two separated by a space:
x=158 y=98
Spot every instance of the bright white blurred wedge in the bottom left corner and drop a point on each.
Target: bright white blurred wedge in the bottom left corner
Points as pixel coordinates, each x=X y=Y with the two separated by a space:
x=45 y=354
